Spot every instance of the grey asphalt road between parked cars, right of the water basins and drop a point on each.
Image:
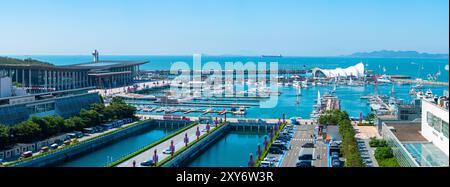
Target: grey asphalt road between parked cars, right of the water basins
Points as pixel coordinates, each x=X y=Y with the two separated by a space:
x=301 y=136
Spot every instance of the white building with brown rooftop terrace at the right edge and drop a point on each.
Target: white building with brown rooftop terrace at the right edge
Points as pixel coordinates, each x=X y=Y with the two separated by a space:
x=421 y=143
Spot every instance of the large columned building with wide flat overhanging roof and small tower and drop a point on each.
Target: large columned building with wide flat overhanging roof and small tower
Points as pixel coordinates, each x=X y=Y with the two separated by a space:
x=39 y=78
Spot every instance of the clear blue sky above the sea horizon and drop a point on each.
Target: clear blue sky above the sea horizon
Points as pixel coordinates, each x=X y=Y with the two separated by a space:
x=251 y=27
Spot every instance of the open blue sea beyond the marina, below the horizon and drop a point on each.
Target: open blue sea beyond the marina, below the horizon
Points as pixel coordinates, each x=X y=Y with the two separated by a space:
x=416 y=68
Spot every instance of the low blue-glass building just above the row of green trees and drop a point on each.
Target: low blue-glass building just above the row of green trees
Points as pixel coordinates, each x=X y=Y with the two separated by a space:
x=14 y=110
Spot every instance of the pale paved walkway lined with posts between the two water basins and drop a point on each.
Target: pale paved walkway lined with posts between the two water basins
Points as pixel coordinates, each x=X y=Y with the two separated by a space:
x=178 y=142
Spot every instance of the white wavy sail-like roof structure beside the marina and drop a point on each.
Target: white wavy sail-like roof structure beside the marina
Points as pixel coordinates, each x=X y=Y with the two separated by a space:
x=355 y=71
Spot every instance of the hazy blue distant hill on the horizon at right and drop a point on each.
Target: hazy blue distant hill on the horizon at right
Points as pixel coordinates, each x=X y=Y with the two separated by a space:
x=397 y=54
